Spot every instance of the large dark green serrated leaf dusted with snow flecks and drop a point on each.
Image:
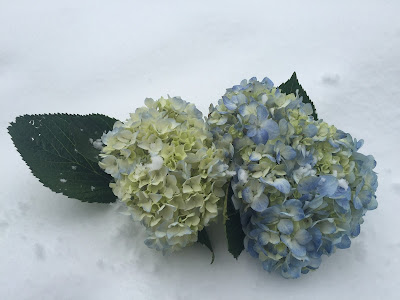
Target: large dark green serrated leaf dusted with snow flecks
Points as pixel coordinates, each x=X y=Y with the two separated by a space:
x=59 y=151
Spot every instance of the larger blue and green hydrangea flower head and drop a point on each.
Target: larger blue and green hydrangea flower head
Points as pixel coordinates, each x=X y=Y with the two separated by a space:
x=302 y=187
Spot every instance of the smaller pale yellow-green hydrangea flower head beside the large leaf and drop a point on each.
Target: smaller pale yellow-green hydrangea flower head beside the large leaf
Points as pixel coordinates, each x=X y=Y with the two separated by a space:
x=167 y=171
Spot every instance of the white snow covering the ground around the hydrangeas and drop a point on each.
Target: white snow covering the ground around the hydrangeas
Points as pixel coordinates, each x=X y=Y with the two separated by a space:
x=80 y=57
